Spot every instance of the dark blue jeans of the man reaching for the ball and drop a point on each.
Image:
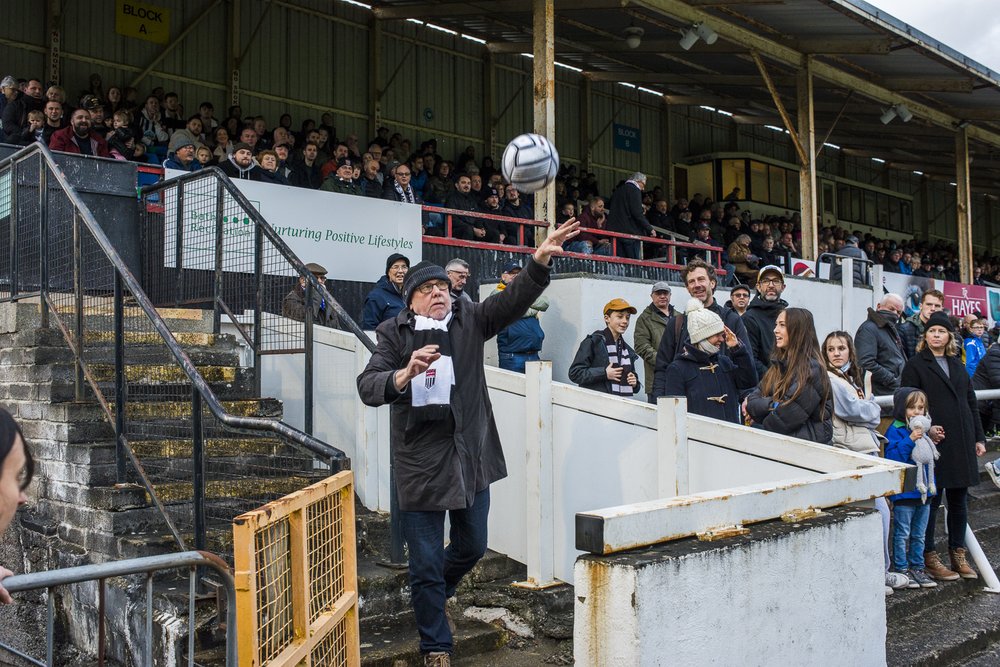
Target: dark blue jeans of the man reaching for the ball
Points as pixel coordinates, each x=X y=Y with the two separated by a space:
x=435 y=570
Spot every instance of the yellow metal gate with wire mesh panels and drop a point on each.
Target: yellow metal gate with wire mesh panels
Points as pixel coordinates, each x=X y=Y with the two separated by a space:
x=296 y=578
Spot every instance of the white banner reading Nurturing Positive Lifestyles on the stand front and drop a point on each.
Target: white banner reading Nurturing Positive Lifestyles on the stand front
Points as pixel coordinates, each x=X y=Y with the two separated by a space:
x=350 y=236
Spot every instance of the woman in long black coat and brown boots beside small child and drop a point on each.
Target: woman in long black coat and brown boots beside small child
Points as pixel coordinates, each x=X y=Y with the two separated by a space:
x=938 y=372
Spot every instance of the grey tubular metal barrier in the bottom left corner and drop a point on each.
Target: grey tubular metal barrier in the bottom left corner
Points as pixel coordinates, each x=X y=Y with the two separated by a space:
x=101 y=571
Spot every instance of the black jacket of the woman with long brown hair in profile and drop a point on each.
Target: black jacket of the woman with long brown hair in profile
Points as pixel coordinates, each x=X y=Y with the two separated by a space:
x=809 y=416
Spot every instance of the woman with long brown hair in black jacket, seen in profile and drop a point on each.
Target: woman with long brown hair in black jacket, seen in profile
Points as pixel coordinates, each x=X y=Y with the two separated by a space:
x=794 y=396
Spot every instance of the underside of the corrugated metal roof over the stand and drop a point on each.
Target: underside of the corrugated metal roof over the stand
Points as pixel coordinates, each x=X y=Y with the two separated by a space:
x=901 y=59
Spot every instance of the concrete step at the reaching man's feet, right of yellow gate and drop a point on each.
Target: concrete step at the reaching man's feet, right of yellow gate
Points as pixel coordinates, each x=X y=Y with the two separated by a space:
x=394 y=641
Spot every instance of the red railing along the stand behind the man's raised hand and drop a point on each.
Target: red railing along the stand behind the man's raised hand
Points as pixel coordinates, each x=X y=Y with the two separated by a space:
x=671 y=260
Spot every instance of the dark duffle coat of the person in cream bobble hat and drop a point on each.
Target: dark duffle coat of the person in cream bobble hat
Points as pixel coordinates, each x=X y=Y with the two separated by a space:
x=712 y=383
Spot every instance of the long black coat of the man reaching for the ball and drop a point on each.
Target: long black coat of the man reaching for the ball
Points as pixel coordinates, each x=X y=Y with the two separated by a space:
x=442 y=465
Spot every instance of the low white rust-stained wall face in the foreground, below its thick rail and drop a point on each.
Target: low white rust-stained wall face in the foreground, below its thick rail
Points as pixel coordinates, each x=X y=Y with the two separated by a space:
x=731 y=605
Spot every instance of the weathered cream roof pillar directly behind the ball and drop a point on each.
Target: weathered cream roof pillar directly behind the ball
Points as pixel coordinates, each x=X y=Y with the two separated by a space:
x=544 y=96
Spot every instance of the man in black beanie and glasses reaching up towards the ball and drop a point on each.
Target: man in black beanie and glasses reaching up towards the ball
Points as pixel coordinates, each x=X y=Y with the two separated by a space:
x=446 y=449
